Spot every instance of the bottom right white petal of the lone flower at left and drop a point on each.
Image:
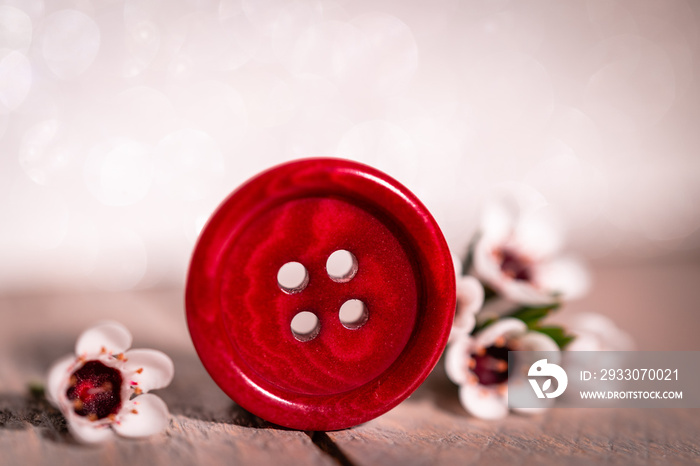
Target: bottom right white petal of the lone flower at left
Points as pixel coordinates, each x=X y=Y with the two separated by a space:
x=151 y=418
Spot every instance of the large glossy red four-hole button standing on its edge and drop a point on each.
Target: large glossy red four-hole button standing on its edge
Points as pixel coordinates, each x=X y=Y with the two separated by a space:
x=371 y=329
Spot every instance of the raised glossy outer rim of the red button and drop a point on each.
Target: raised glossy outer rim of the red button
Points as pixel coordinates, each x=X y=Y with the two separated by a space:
x=382 y=195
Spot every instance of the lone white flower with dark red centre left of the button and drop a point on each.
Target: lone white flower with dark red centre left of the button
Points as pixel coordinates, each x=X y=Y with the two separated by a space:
x=100 y=389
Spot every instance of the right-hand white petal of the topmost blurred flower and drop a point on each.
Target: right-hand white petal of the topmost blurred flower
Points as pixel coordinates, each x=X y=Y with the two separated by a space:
x=564 y=276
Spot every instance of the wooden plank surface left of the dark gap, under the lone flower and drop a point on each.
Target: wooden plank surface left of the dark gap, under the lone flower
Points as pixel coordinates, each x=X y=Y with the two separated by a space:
x=206 y=426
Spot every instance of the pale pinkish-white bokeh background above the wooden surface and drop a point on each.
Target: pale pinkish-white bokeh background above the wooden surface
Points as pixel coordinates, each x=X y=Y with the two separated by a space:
x=124 y=123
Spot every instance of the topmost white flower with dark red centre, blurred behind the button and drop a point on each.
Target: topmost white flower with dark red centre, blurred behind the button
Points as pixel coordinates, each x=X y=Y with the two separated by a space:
x=514 y=255
